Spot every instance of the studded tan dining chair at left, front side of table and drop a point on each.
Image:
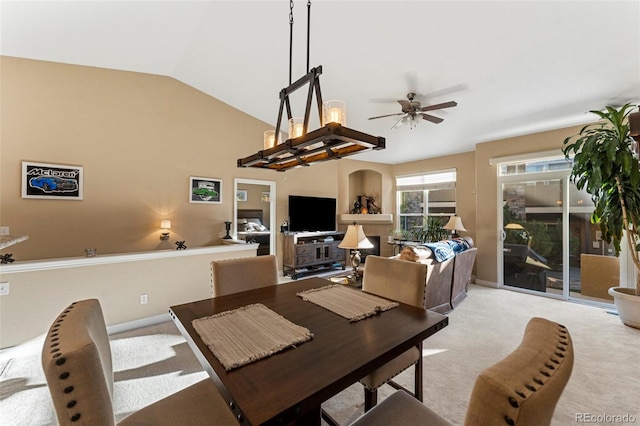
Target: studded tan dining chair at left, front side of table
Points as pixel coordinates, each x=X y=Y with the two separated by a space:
x=77 y=363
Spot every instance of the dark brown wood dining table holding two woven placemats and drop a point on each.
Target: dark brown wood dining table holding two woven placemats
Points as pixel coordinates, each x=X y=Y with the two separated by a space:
x=290 y=386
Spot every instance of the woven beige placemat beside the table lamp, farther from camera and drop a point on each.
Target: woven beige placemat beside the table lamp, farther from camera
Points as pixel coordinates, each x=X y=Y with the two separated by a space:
x=346 y=302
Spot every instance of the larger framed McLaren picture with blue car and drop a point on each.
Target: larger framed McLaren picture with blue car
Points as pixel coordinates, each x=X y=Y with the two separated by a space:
x=51 y=181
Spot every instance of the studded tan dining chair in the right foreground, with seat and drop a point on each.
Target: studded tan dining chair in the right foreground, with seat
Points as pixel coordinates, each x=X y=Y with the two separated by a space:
x=522 y=389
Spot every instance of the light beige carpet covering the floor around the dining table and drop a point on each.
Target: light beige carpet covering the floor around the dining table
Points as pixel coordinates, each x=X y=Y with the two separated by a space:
x=155 y=361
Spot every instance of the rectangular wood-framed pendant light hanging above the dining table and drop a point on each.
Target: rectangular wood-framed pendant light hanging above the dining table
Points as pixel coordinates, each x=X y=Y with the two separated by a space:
x=333 y=140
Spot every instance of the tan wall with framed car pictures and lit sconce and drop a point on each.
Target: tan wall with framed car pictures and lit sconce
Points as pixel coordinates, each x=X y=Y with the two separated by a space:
x=139 y=137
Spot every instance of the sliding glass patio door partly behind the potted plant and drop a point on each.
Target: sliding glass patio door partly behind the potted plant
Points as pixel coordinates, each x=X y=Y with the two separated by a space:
x=547 y=238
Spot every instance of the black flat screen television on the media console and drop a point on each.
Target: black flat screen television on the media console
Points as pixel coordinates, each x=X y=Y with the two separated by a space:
x=310 y=214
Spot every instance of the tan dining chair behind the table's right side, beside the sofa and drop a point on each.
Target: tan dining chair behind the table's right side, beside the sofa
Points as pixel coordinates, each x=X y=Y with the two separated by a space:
x=404 y=282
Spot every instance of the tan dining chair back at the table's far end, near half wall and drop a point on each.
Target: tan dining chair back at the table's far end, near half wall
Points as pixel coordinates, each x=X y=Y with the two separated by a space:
x=235 y=275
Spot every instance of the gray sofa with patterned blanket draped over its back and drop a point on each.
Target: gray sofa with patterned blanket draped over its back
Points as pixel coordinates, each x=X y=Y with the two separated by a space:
x=447 y=281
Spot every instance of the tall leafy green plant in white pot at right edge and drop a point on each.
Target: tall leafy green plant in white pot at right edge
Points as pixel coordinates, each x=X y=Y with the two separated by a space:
x=605 y=164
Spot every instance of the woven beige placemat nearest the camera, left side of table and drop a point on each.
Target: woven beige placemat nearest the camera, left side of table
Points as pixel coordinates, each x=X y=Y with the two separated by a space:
x=248 y=334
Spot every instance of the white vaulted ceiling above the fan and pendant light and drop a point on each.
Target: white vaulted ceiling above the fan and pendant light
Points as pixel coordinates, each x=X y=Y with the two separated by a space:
x=514 y=67
